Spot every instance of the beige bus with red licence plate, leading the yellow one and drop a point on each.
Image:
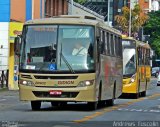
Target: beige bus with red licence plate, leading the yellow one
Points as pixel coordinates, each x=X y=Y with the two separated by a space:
x=69 y=59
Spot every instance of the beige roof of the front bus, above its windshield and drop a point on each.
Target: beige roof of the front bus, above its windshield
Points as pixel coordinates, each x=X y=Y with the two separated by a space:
x=73 y=19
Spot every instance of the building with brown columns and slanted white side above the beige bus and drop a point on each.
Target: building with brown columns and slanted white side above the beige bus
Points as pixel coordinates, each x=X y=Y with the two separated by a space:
x=65 y=7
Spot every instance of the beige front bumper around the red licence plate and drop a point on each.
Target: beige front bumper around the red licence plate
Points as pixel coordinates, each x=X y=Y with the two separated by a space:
x=79 y=94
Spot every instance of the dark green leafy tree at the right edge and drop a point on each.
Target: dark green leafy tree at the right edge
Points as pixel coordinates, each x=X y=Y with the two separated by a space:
x=152 y=28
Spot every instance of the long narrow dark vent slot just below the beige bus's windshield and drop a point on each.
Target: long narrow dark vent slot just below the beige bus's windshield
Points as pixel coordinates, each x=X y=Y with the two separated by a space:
x=55 y=77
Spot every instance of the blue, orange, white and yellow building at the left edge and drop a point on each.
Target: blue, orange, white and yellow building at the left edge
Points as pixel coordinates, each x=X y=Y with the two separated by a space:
x=13 y=13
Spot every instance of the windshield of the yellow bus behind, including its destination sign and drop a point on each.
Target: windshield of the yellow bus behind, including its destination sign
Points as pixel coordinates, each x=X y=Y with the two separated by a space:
x=129 y=58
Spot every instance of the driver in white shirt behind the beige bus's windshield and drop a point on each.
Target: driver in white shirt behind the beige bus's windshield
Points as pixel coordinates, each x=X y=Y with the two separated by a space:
x=79 y=50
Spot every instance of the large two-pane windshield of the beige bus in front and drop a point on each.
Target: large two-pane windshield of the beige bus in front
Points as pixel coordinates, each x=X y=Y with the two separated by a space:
x=57 y=48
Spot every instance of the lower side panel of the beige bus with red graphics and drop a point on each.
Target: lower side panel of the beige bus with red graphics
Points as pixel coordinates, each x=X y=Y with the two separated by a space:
x=111 y=73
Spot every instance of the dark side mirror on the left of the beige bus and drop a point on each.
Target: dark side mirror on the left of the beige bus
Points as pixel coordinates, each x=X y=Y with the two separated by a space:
x=17 y=42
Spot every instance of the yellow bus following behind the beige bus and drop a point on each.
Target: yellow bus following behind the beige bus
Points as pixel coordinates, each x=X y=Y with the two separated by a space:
x=136 y=67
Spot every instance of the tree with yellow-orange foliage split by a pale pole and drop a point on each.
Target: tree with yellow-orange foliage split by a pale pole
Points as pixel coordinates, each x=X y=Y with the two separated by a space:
x=137 y=19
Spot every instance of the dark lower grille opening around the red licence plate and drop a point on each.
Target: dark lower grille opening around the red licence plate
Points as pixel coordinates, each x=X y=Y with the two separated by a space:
x=47 y=95
